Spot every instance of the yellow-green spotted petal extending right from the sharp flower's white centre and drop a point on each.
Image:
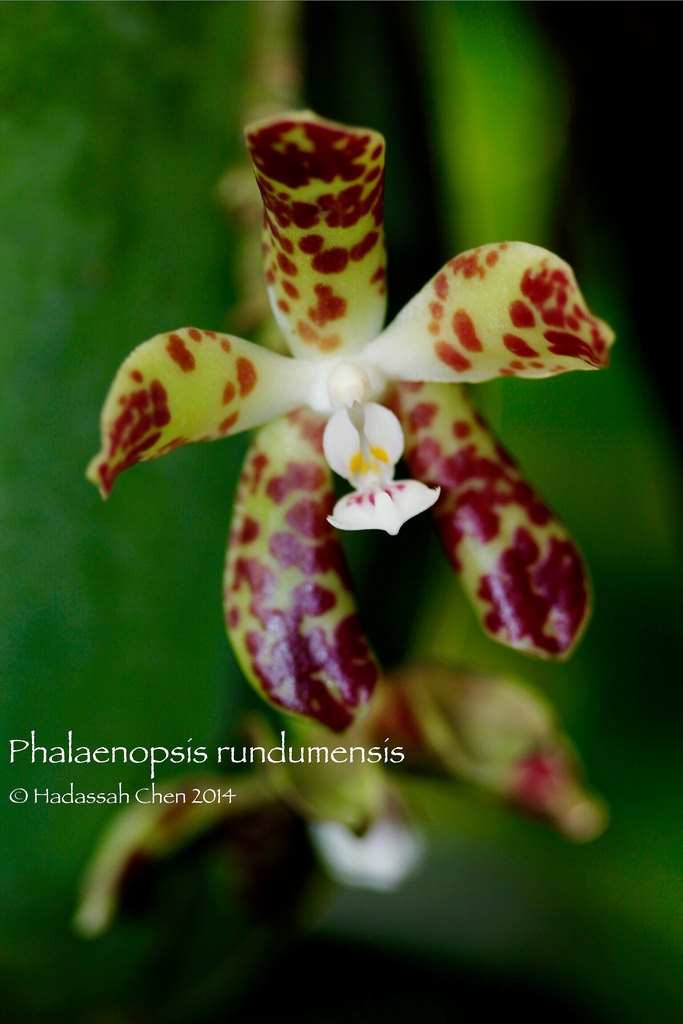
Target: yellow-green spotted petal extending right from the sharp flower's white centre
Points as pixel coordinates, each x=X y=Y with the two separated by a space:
x=507 y=310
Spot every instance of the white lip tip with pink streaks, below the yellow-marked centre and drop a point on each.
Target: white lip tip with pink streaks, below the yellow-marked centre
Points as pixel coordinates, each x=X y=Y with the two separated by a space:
x=385 y=508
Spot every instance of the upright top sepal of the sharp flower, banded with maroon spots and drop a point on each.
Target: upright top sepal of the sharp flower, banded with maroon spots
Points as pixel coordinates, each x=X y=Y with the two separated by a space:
x=323 y=186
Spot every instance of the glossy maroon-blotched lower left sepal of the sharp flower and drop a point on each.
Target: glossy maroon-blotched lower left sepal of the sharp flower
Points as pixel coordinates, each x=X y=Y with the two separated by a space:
x=289 y=608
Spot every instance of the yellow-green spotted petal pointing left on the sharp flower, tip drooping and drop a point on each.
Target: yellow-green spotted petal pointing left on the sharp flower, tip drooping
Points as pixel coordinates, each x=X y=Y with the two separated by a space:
x=191 y=386
